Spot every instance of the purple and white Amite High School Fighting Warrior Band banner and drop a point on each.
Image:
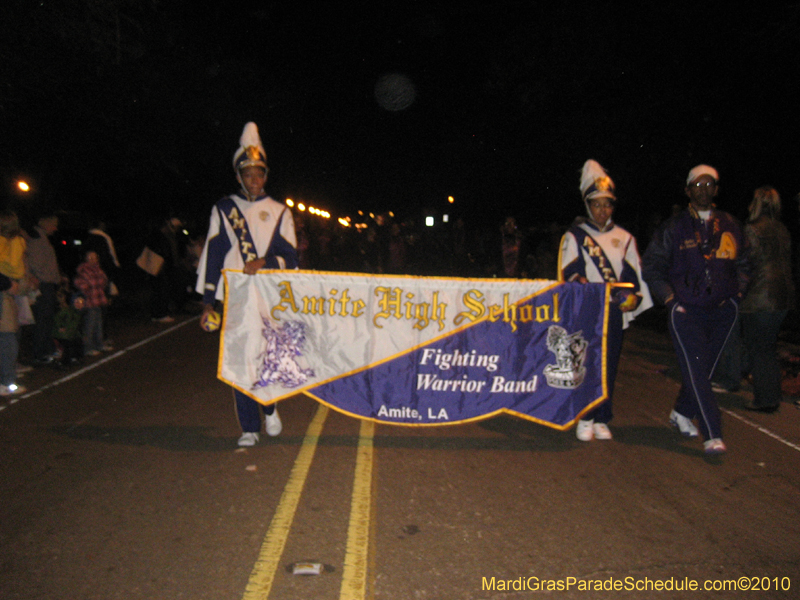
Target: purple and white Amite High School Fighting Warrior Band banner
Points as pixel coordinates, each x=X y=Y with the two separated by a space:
x=417 y=350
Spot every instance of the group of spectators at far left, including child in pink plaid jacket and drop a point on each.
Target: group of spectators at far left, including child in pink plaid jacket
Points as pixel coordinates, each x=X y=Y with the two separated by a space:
x=55 y=314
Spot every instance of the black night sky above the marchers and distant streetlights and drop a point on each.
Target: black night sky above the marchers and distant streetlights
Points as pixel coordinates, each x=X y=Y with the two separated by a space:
x=133 y=107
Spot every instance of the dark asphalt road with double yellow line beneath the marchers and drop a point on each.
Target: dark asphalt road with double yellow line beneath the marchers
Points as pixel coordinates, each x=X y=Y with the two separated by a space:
x=123 y=480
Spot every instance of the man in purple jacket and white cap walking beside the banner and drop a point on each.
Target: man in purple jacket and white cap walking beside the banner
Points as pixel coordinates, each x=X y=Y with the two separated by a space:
x=696 y=265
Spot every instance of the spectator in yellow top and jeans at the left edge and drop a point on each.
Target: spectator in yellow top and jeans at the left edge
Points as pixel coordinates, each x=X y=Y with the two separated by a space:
x=12 y=270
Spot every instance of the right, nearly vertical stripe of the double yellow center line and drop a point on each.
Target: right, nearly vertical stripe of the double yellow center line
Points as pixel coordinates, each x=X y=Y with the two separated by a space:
x=356 y=558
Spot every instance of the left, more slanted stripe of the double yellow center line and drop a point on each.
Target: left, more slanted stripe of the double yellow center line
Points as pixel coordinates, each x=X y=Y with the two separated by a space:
x=263 y=575
